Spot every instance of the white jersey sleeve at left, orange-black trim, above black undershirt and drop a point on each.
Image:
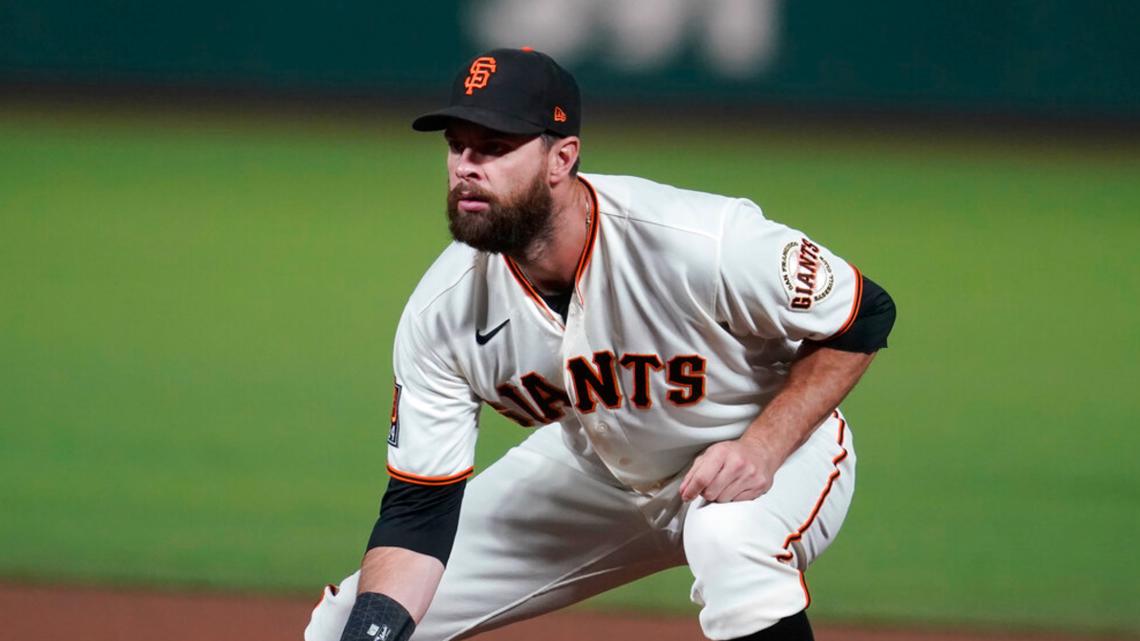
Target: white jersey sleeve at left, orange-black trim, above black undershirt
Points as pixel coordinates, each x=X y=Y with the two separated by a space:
x=435 y=413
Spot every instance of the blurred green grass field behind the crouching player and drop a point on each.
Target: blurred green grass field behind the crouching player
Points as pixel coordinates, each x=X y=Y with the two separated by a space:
x=197 y=315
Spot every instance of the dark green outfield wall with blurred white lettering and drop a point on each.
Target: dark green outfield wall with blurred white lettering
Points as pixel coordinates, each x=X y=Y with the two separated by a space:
x=1047 y=58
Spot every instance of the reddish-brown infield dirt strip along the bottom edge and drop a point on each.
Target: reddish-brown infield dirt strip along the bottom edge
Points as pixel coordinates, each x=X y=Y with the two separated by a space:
x=59 y=614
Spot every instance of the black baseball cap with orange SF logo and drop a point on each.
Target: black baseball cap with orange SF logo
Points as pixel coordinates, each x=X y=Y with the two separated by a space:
x=515 y=92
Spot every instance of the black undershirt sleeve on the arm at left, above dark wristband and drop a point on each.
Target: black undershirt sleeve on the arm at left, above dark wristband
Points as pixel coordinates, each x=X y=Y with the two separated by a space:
x=420 y=518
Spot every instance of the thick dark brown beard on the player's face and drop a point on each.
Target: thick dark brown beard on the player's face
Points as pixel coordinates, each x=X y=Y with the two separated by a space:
x=512 y=228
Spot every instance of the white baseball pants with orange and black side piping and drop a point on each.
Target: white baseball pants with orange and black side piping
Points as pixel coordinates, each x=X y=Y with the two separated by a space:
x=542 y=530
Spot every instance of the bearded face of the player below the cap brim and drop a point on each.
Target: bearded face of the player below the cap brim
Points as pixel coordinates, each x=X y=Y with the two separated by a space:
x=499 y=197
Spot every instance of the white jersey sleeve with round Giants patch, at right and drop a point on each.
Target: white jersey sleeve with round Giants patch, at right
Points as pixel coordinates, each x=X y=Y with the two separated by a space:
x=777 y=283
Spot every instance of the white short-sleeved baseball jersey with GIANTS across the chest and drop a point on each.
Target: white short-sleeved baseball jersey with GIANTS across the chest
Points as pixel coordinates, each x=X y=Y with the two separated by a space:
x=687 y=313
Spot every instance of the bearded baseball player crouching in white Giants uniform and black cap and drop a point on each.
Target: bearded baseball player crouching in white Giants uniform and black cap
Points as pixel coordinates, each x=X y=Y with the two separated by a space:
x=680 y=358
